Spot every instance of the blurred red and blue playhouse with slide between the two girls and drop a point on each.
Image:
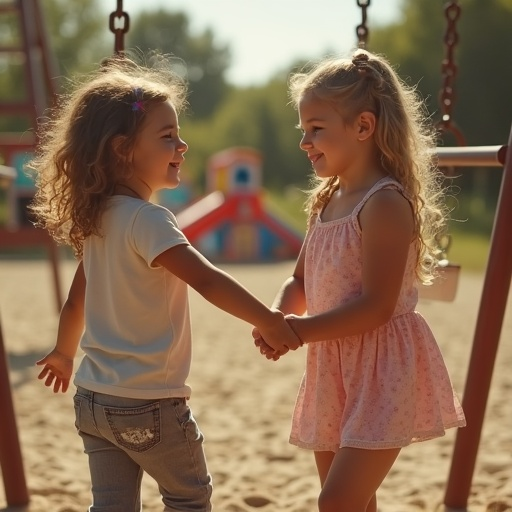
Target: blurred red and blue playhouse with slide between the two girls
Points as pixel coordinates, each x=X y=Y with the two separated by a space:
x=231 y=223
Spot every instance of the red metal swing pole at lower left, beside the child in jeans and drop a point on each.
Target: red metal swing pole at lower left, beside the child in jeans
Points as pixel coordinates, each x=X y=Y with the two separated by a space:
x=11 y=461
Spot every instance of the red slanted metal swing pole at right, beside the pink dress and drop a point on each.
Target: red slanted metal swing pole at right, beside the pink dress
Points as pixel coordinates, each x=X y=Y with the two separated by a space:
x=485 y=345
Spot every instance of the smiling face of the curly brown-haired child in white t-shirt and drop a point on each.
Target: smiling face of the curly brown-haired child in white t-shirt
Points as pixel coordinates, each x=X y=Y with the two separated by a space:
x=158 y=150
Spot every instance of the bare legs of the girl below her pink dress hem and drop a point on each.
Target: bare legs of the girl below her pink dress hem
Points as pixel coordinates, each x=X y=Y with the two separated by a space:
x=353 y=479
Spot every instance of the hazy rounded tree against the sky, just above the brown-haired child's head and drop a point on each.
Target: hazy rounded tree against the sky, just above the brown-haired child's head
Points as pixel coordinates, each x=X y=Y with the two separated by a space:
x=203 y=62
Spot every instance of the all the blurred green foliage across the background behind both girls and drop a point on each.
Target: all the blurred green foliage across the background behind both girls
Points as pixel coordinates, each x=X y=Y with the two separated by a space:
x=222 y=115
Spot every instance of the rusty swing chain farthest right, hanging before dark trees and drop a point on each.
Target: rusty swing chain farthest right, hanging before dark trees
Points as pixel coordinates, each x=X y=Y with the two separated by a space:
x=449 y=70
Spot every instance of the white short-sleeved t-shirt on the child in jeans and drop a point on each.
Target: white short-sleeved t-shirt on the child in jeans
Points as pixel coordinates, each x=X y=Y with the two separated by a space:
x=137 y=338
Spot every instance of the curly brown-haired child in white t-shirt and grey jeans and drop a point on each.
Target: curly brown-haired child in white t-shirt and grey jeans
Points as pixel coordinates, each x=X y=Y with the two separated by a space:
x=113 y=143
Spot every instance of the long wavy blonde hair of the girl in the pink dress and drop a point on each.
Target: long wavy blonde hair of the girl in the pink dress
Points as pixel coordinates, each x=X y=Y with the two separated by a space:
x=406 y=140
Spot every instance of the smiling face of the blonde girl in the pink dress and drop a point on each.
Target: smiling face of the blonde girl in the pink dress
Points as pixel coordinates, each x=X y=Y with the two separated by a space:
x=332 y=144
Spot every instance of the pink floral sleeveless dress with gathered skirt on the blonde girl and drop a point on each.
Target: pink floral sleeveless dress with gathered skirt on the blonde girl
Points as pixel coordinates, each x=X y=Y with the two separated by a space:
x=384 y=388
